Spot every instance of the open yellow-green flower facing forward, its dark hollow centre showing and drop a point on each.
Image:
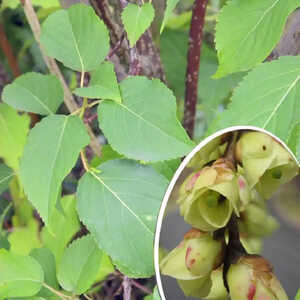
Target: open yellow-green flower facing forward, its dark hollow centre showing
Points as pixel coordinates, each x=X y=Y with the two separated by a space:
x=207 y=197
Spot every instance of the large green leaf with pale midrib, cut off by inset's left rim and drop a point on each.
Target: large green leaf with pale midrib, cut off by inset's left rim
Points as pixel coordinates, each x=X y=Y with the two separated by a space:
x=129 y=196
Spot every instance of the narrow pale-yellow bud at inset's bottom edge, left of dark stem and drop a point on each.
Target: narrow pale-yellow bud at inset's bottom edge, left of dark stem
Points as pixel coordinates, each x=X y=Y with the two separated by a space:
x=218 y=290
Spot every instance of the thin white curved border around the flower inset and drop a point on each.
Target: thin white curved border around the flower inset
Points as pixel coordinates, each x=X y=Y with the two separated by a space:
x=174 y=180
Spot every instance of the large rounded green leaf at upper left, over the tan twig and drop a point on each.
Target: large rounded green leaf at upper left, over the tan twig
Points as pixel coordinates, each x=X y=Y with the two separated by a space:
x=76 y=37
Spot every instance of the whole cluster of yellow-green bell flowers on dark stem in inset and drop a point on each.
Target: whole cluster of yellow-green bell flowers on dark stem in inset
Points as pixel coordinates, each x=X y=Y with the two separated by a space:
x=224 y=200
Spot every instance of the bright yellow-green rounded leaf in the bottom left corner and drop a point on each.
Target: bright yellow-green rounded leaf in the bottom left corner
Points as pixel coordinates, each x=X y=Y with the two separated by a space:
x=20 y=276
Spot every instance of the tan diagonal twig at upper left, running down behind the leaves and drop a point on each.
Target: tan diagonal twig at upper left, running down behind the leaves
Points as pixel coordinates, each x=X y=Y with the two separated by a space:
x=54 y=69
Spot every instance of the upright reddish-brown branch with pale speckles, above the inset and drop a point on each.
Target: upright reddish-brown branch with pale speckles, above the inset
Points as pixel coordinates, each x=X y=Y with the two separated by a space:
x=192 y=72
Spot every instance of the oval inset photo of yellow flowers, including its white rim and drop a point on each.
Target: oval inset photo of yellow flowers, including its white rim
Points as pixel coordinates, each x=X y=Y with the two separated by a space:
x=216 y=227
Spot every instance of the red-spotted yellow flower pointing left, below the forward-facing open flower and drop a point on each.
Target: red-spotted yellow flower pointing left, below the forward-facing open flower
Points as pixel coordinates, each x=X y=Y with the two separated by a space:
x=195 y=257
